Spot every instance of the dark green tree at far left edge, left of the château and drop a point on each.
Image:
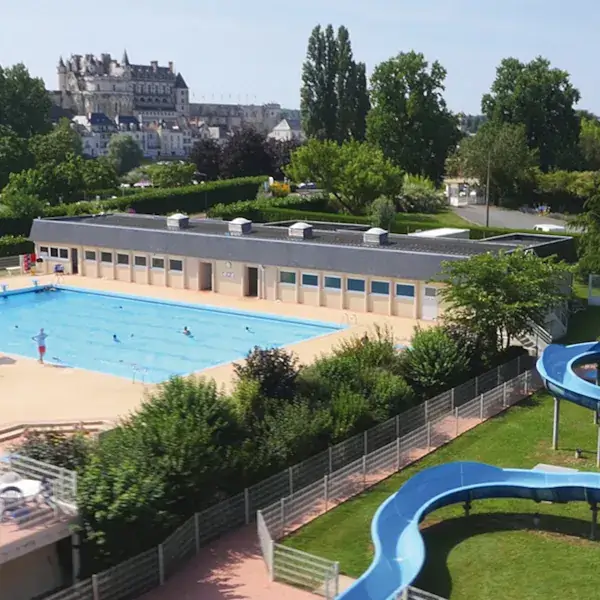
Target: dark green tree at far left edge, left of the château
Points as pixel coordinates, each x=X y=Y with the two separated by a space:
x=25 y=102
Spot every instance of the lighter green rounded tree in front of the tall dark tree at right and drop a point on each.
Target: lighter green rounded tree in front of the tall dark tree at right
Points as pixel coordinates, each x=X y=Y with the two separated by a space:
x=503 y=148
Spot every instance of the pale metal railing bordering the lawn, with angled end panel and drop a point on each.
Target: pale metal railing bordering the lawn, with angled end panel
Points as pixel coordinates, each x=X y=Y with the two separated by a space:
x=444 y=424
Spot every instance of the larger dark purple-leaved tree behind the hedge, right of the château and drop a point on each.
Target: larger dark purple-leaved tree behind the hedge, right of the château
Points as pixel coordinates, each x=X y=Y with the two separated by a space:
x=246 y=155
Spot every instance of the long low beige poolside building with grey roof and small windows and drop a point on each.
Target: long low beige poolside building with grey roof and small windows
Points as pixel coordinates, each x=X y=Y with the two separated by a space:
x=337 y=266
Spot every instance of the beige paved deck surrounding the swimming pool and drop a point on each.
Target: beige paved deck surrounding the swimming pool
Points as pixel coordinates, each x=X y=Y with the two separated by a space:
x=32 y=392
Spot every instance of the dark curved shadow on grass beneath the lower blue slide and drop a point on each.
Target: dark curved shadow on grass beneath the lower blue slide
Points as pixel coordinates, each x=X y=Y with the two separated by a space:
x=443 y=537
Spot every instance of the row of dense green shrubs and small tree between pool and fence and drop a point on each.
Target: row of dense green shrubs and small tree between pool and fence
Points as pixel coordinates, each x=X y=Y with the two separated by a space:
x=190 y=446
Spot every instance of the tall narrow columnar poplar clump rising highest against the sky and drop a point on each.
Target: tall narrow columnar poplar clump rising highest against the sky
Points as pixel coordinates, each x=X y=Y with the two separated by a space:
x=333 y=98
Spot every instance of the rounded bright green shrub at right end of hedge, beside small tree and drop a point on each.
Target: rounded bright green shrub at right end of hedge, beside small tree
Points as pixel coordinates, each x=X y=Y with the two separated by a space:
x=434 y=362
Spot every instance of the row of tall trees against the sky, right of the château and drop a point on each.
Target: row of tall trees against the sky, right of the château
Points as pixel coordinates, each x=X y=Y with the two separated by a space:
x=529 y=119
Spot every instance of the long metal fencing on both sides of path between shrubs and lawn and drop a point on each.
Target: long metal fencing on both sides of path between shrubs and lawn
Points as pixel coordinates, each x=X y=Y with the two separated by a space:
x=286 y=501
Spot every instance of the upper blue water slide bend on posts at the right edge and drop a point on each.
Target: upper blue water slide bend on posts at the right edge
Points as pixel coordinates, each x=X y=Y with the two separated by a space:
x=557 y=367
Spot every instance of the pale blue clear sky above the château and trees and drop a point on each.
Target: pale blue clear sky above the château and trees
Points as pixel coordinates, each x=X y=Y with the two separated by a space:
x=243 y=51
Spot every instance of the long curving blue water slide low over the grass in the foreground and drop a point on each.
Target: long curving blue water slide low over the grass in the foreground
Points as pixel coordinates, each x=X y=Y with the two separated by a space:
x=399 y=546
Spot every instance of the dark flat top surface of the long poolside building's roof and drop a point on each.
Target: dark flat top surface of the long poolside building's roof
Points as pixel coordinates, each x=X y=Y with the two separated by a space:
x=338 y=237
